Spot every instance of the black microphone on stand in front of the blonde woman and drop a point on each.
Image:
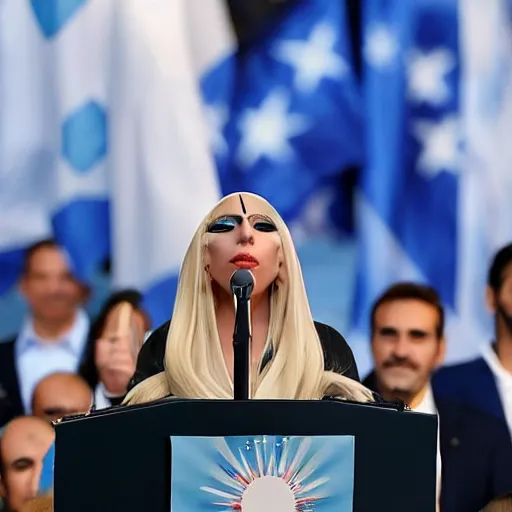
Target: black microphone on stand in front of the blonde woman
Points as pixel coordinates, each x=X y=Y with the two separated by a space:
x=242 y=285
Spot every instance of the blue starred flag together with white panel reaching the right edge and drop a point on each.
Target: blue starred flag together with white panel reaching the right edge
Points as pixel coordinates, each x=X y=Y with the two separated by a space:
x=433 y=196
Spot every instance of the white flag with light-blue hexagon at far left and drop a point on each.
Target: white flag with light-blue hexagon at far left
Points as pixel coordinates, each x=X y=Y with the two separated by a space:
x=53 y=85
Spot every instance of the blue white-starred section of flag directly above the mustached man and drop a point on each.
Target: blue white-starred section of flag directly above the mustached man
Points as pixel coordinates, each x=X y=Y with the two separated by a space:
x=408 y=189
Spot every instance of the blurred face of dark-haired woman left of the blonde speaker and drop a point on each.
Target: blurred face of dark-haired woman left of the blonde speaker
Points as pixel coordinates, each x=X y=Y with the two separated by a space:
x=117 y=349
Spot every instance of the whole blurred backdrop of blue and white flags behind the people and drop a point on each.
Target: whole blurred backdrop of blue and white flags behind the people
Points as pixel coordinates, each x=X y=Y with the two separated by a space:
x=380 y=130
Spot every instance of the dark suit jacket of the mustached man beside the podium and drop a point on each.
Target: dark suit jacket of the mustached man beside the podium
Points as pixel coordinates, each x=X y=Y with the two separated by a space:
x=476 y=455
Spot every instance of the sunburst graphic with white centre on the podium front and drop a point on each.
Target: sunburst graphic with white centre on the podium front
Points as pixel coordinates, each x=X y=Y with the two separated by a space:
x=270 y=474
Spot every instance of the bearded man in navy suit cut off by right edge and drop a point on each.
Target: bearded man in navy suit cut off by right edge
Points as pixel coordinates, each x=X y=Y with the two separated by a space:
x=486 y=381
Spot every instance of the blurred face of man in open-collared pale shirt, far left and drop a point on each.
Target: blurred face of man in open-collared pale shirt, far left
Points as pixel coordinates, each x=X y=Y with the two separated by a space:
x=49 y=287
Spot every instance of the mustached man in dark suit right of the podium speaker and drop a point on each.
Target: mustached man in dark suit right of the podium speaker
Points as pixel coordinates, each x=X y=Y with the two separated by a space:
x=407 y=341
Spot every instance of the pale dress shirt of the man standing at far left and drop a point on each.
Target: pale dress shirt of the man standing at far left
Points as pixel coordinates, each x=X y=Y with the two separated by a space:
x=37 y=358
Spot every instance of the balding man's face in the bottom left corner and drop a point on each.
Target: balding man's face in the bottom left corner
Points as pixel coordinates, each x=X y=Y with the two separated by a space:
x=24 y=444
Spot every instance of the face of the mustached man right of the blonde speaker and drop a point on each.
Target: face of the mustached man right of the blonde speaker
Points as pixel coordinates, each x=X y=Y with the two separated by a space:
x=405 y=348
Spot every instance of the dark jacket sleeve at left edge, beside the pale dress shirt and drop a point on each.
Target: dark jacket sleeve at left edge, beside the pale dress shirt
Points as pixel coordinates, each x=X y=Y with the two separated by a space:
x=10 y=395
